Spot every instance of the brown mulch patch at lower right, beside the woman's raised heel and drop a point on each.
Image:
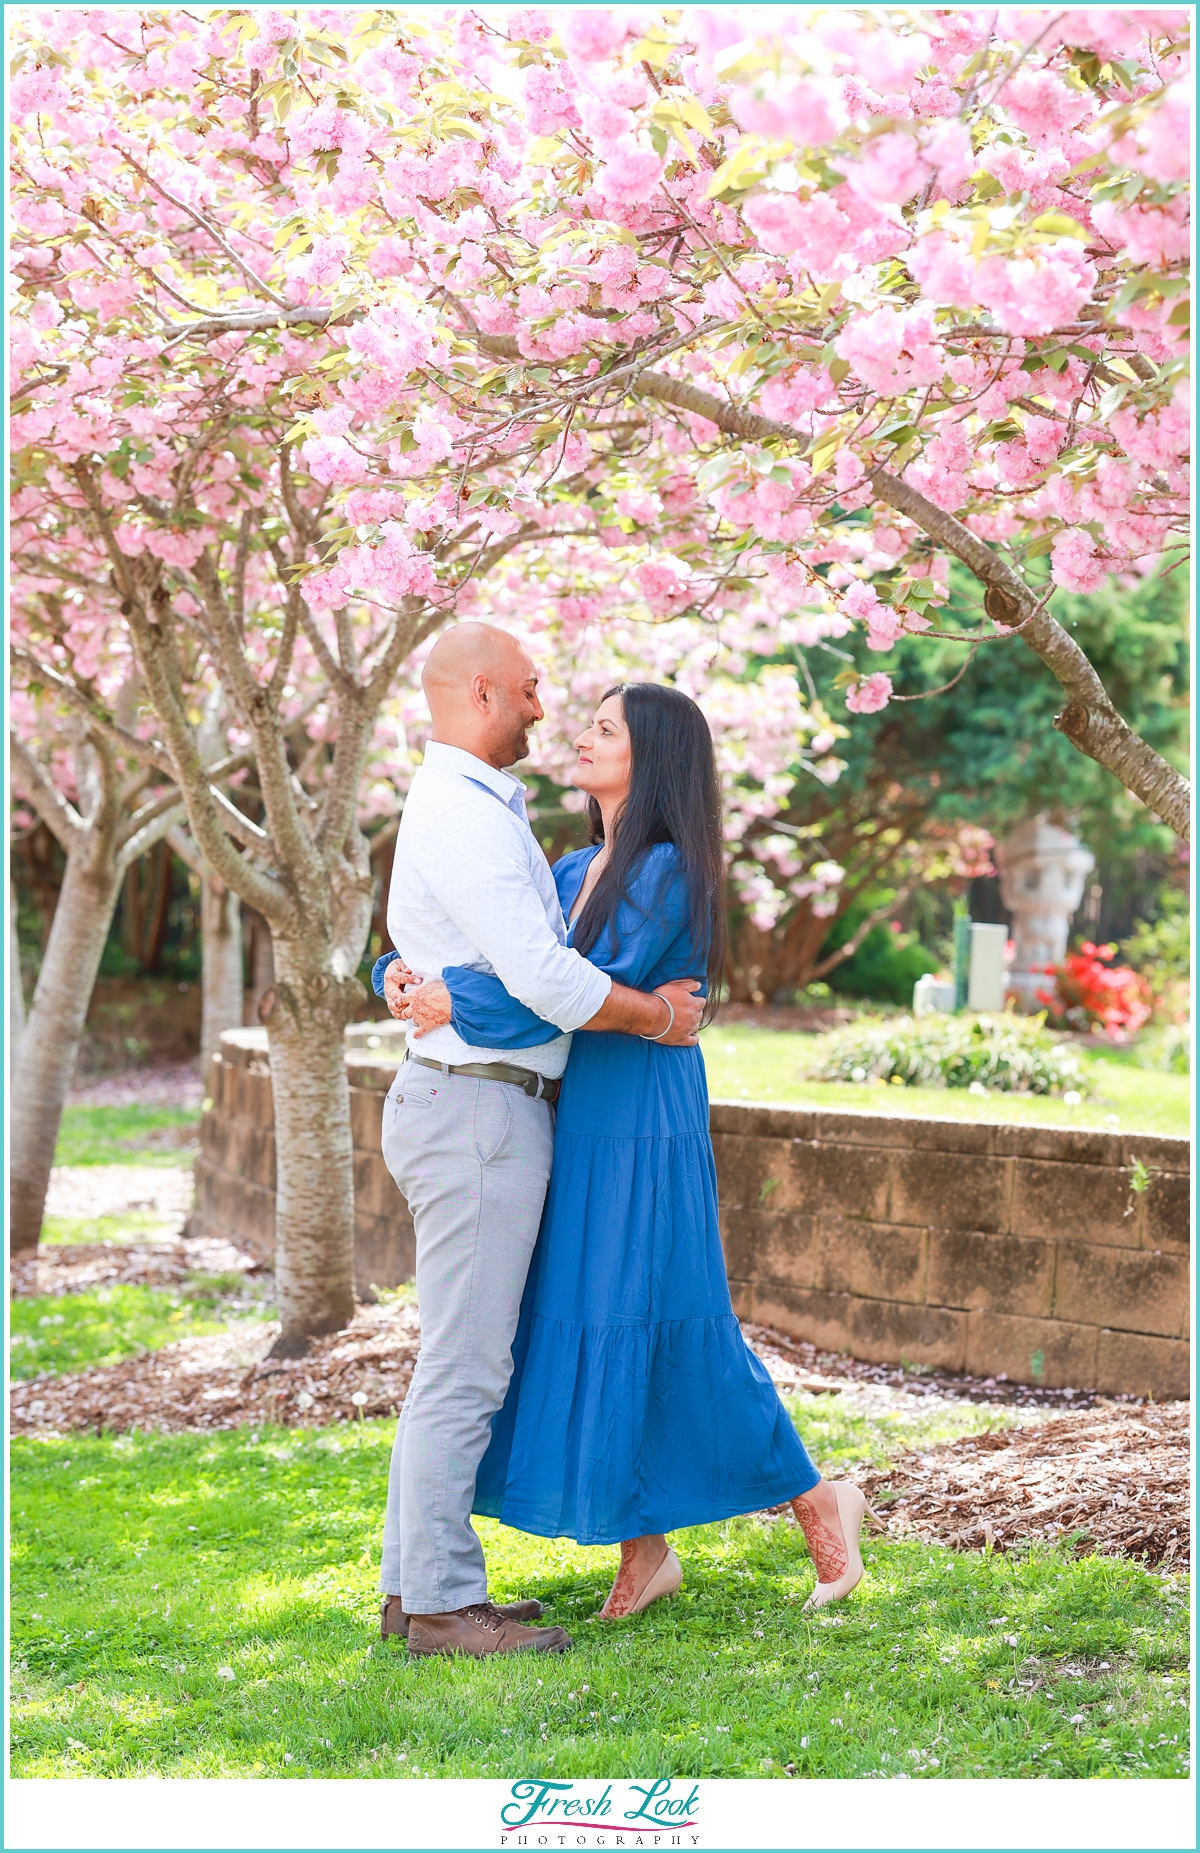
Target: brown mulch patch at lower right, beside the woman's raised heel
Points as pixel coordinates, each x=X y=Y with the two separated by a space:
x=1114 y=1480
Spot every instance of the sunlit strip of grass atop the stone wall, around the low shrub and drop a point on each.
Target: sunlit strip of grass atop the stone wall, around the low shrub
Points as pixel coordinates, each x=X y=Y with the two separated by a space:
x=758 y=1065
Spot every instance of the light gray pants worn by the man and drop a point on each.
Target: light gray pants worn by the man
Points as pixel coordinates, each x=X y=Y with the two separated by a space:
x=473 y=1161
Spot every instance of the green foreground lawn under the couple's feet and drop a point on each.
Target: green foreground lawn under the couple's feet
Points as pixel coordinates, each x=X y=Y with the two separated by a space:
x=145 y=1567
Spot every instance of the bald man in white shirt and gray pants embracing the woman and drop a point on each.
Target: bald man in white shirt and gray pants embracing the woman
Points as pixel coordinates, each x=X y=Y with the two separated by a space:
x=468 y=1139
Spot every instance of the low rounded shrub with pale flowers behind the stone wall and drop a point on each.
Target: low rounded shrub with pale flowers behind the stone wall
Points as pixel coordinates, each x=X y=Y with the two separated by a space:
x=1008 y=1053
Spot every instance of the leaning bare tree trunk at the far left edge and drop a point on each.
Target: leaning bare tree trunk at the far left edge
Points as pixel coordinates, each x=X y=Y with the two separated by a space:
x=53 y=1035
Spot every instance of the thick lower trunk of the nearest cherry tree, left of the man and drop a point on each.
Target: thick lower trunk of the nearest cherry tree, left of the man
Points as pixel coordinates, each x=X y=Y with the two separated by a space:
x=306 y=1015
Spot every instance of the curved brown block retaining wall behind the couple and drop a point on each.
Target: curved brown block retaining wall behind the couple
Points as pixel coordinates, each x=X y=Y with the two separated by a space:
x=982 y=1248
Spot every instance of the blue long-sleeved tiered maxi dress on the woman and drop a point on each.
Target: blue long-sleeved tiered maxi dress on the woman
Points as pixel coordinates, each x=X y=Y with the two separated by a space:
x=634 y=1406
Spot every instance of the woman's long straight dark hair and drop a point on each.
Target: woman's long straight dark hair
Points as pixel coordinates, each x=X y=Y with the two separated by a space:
x=675 y=798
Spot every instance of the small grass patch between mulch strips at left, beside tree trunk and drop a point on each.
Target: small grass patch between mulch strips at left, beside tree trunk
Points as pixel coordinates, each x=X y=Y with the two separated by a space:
x=106 y=1324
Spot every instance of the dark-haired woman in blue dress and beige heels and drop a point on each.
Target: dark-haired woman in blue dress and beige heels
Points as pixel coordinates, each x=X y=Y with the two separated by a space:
x=636 y=1406
